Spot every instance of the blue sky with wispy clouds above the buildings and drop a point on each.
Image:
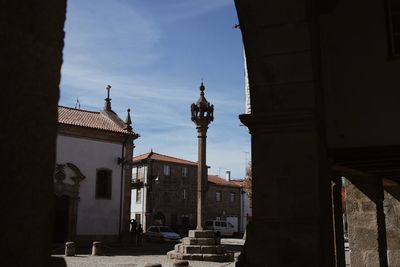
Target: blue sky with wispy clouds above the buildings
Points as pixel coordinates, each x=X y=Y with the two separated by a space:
x=154 y=54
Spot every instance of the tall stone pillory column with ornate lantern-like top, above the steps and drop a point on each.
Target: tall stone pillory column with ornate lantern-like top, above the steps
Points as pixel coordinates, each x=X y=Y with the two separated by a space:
x=202 y=114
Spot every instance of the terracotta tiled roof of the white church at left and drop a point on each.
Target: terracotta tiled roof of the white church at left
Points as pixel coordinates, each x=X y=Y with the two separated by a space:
x=107 y=121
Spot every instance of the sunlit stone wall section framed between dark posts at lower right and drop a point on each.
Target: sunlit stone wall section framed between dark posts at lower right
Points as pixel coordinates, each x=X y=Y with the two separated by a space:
x=366 y=222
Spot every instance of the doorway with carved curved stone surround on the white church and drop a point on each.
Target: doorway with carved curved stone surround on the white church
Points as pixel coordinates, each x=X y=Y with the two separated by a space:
x=67 y=180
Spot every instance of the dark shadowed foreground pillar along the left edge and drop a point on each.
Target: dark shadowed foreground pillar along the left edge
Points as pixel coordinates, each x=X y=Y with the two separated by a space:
x=32 y=36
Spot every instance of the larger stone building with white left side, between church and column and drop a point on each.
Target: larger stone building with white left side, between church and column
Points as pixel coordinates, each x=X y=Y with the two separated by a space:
x=163 y=191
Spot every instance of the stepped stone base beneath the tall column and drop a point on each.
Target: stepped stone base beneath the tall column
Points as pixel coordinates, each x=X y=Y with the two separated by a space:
x=201 y=245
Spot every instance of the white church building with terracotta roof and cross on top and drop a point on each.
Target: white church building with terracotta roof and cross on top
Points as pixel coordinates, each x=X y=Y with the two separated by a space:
x=92 y=180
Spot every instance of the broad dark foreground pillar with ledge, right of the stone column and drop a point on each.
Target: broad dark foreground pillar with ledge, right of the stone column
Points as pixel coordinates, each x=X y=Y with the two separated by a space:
x=292 y=207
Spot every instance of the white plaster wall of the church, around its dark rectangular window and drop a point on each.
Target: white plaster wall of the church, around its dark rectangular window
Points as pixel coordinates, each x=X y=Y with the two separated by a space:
x=95 y=216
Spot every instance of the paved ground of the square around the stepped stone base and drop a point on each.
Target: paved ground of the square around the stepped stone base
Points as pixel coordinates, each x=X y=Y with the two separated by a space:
x=139 y=256
